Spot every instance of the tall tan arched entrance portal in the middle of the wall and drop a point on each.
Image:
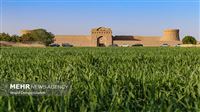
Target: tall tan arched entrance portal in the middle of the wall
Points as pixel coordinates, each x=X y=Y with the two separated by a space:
x=101 y=37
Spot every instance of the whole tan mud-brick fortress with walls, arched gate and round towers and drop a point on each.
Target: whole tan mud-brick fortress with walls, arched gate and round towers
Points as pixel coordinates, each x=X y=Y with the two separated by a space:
x=103 y=37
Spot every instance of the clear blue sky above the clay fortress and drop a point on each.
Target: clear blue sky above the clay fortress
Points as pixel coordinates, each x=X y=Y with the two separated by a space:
x=127 y=17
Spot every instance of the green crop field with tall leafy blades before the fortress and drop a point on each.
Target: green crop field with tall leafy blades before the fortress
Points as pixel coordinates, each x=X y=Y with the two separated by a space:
x=105 y=79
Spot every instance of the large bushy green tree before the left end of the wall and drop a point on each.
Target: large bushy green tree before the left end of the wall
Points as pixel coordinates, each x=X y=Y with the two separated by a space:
x=39 y=35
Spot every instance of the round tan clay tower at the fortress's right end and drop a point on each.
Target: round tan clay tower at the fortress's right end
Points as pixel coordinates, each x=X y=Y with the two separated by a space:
x=171 y=35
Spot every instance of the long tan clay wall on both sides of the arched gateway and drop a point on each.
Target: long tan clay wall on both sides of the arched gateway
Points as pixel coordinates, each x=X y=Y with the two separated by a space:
x=84 y=40
